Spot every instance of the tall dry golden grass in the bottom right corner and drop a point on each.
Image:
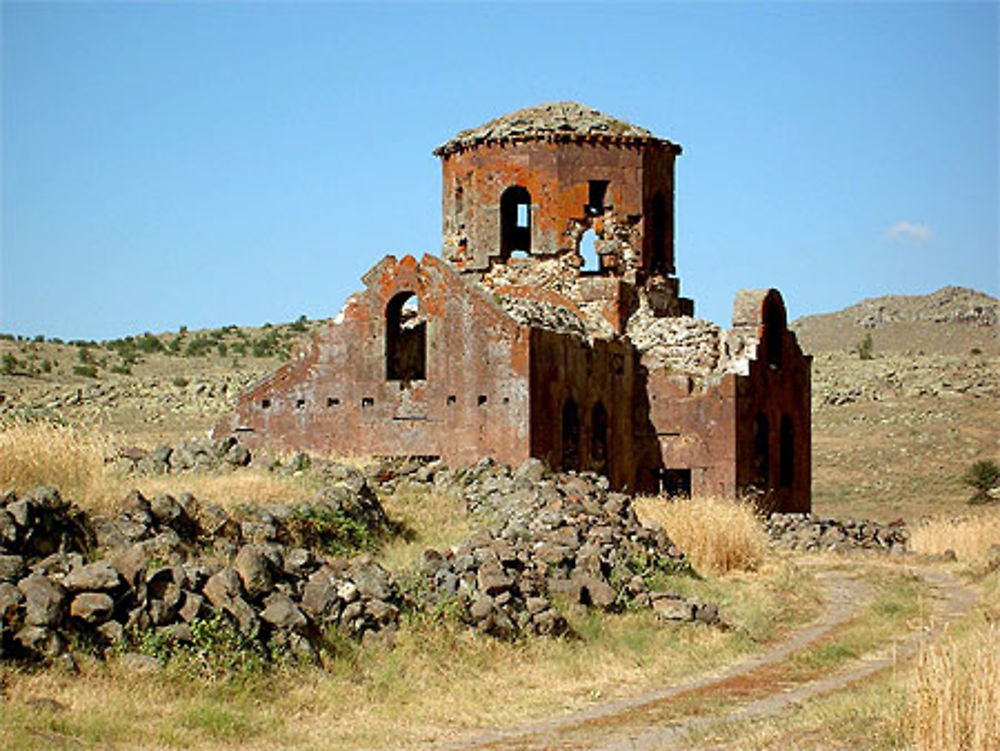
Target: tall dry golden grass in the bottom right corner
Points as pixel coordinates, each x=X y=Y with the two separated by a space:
x=955 y=694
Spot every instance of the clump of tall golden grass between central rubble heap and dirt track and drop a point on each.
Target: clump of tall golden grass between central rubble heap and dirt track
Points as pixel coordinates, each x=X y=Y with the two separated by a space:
x=717 y=534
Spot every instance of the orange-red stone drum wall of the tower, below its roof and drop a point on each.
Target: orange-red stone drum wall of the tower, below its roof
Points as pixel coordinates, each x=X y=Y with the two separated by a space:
x=557 y=175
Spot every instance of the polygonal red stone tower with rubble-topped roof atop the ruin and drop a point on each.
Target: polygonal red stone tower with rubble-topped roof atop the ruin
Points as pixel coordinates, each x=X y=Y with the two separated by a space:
x=560 y=181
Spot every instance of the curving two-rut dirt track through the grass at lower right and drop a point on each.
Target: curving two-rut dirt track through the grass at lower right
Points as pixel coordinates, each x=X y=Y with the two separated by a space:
x=632 y=725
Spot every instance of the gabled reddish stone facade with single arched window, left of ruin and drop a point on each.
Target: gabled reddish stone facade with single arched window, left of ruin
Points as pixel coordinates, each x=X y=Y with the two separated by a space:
x=335 y=395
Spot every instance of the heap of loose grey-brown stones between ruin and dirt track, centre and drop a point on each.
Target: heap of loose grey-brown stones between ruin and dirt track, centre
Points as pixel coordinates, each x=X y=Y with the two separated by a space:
x=549 y=541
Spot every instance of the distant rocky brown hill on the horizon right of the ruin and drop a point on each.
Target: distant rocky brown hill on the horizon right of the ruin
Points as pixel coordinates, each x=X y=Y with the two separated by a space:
x=953 y=320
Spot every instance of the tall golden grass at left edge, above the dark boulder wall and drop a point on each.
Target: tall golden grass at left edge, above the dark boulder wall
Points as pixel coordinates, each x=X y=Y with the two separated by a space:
x=41 y=453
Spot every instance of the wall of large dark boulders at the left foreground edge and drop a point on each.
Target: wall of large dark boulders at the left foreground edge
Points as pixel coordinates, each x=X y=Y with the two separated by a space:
x=162 y=564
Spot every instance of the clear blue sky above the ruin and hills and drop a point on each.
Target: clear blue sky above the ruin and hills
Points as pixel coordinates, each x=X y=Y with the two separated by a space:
x=207 y=164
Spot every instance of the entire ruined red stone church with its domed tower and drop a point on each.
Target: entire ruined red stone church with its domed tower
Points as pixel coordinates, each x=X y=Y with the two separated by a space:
x=553 y=328
